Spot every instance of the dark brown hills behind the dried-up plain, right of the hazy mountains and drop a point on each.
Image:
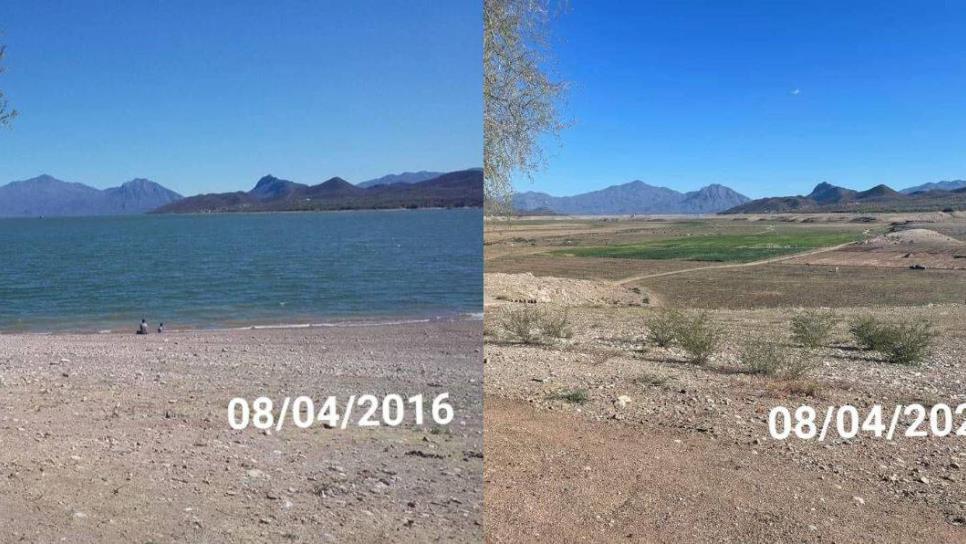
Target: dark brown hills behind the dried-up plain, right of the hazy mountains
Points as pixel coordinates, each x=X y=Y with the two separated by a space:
x=826 y=197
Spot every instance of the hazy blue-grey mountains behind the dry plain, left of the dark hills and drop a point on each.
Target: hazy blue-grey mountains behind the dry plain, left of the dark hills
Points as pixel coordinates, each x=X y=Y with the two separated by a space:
x=635 y=197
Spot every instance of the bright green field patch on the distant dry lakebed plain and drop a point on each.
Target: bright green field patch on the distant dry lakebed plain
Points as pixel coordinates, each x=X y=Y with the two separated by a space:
x=719 y=248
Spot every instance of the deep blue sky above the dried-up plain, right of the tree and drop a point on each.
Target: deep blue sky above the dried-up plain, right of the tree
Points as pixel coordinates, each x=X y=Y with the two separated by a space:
x=766 y=97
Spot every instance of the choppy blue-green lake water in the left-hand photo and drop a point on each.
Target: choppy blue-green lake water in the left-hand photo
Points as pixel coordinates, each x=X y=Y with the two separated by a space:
x=195 y=271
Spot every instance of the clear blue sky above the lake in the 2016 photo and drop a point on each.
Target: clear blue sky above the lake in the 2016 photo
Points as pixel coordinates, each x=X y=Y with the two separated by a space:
x=209 y=96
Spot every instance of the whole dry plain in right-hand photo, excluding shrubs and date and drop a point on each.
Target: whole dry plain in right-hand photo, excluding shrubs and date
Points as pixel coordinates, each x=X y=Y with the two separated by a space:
x=602 y=435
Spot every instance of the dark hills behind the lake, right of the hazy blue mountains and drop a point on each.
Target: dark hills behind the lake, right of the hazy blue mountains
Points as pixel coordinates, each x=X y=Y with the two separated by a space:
x=463 y=188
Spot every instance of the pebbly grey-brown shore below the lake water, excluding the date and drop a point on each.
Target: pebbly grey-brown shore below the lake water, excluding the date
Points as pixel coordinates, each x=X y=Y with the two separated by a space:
x=124 y=438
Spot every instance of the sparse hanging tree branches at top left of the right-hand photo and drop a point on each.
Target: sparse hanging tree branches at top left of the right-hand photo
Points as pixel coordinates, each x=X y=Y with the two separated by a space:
x=520 y=96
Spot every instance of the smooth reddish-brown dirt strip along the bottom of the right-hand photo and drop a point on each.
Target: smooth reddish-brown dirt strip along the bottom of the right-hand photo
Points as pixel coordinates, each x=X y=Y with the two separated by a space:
x=552 y=477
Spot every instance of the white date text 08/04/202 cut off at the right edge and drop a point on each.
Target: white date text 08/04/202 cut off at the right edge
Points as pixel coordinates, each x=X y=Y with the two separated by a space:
x=847 y=422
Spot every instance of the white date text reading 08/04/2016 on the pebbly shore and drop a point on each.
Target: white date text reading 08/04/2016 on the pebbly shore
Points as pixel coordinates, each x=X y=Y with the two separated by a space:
x=333 y=412
